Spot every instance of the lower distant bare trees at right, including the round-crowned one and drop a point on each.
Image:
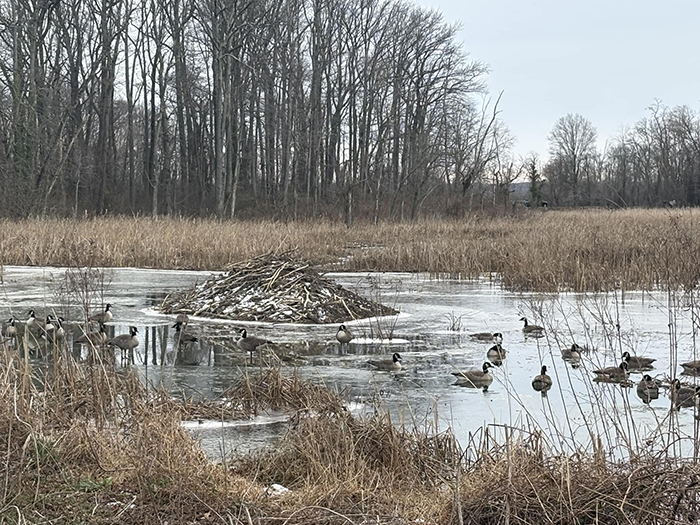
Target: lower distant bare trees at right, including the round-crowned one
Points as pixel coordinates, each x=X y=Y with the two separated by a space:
x=656 y=162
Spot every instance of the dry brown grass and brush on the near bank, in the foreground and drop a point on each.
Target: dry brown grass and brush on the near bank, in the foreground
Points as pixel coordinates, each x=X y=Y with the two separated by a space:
x=92 y=445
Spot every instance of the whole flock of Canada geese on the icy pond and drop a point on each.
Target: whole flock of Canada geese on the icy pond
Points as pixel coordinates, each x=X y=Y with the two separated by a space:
x=52 y=330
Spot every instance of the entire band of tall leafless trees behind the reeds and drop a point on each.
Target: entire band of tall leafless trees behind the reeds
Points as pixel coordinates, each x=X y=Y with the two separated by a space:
x=288 y=109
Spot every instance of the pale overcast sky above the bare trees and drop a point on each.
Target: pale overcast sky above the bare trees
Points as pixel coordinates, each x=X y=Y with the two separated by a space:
x=607 y=60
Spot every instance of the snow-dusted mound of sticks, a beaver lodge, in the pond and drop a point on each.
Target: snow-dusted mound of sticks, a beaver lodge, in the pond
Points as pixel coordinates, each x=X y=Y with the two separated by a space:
x=273 y=287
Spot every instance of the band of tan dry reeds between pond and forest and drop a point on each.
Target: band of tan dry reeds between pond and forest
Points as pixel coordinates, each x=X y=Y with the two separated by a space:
x=582 y=250
